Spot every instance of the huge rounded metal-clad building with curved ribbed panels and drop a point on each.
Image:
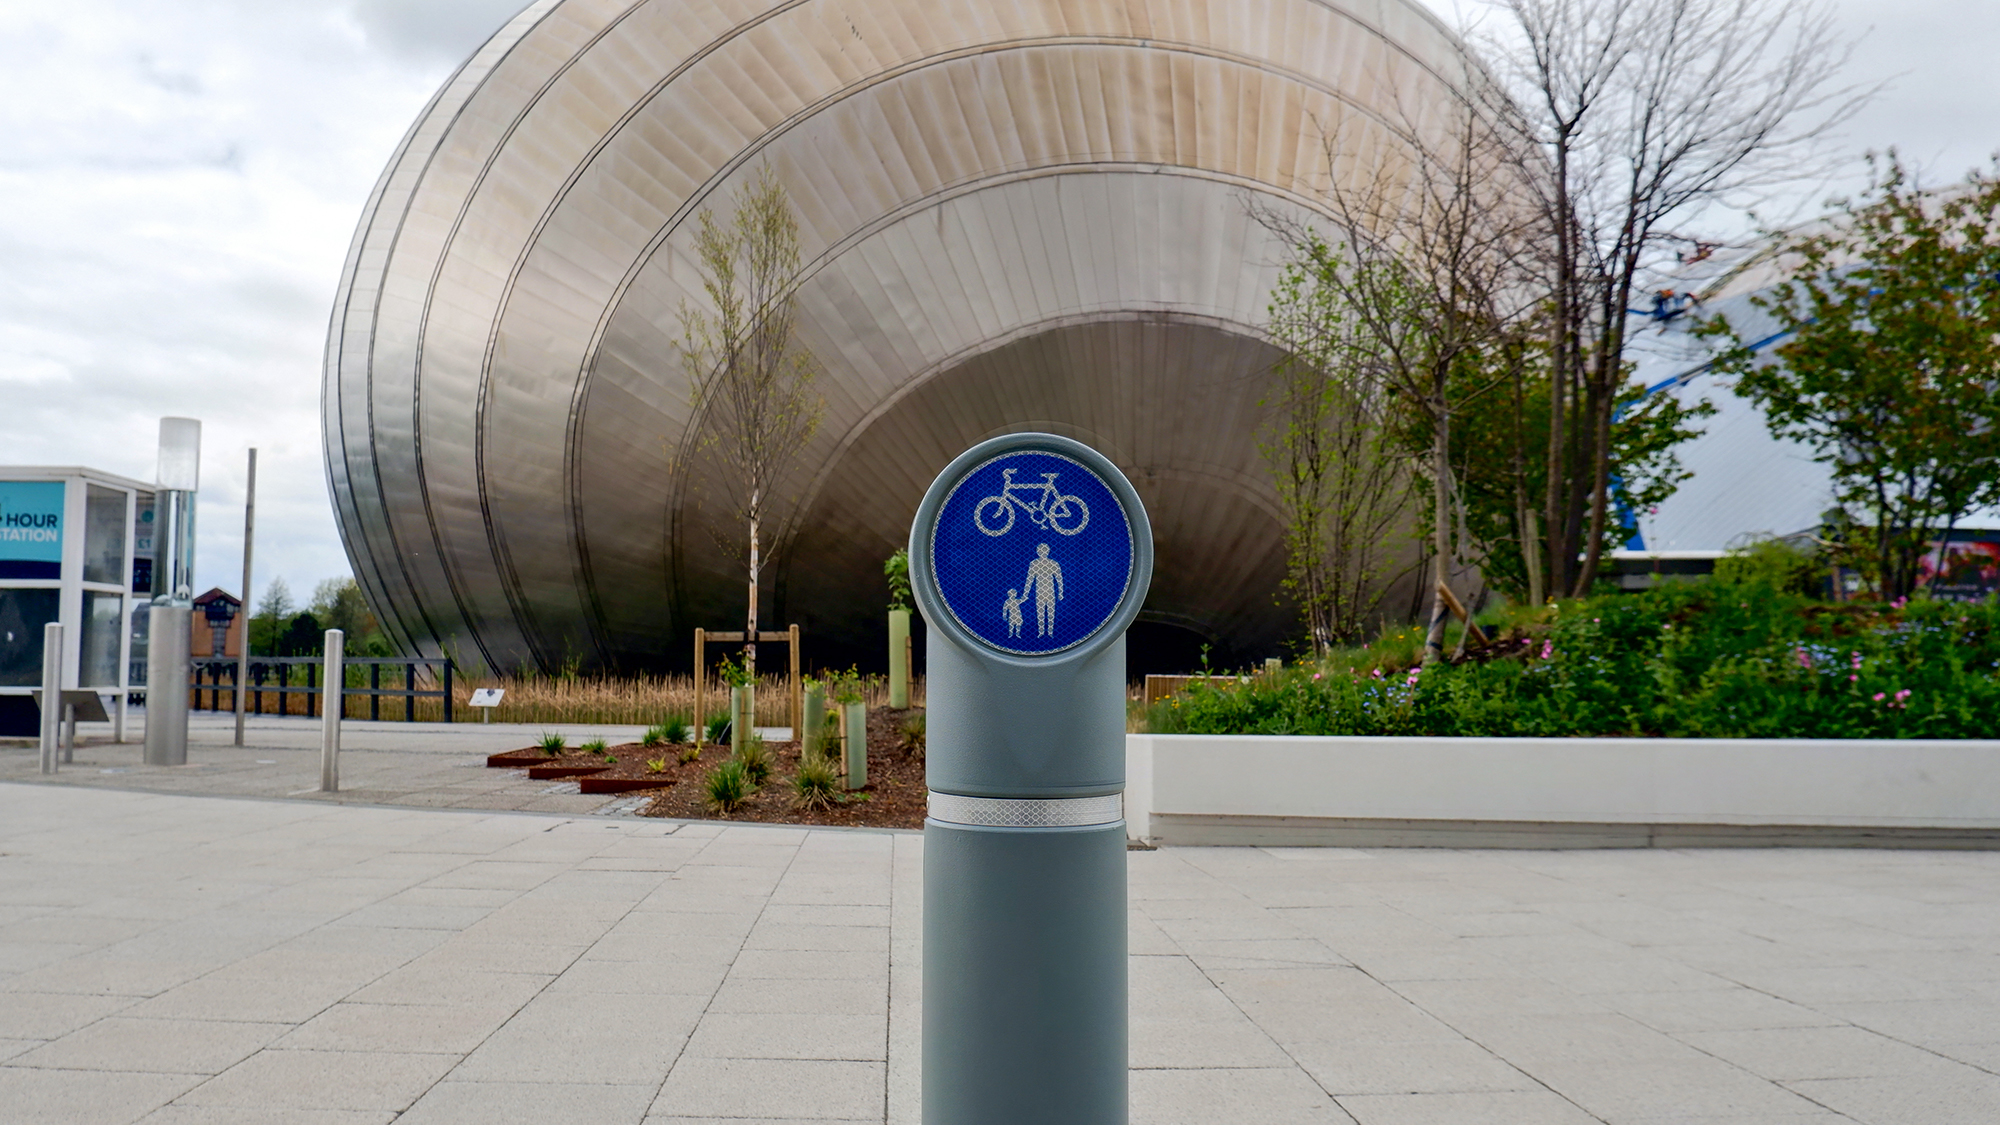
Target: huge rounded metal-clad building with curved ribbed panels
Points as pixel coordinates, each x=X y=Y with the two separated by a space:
x=1015 y=215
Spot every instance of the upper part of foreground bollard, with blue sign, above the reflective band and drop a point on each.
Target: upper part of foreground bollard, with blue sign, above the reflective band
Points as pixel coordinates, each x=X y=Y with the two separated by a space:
x=1029 y=559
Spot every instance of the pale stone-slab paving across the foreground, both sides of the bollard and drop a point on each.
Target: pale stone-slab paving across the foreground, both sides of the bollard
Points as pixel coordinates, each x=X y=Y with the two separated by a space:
x=173 y=960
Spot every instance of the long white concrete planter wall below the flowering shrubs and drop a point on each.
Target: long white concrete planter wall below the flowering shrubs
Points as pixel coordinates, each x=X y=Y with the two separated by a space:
x=1561 y=792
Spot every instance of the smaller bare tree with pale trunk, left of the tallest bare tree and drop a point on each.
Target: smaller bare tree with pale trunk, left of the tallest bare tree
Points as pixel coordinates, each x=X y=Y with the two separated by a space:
x=1429 y=265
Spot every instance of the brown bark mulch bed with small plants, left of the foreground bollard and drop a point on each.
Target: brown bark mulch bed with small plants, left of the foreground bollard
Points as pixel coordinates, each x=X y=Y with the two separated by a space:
x=893 y=798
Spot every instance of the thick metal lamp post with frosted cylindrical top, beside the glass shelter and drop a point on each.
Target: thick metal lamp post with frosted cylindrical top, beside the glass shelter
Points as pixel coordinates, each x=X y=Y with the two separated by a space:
x=173 y=594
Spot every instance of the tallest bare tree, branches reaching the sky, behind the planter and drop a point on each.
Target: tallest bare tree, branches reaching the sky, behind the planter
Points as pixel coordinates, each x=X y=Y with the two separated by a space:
x=1647 y=113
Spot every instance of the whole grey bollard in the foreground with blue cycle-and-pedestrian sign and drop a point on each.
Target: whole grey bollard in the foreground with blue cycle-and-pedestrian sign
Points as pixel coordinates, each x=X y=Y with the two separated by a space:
x=1025 y=848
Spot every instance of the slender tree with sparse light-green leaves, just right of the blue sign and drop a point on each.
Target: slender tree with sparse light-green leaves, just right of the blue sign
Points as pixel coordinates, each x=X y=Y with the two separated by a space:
x=1343 y=479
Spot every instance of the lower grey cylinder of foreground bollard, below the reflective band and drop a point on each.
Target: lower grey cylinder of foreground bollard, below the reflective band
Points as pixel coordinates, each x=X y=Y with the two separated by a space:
x=1025 y=976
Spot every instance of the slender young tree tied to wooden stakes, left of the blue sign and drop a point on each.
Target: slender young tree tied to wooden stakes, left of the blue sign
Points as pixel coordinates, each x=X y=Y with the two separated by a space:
x=753 y=379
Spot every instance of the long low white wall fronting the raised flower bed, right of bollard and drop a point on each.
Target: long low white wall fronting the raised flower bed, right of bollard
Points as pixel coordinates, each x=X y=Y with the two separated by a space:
x=1579 y=782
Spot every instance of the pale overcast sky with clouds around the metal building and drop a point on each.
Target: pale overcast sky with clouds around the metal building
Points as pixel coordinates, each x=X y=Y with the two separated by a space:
x=179 y=185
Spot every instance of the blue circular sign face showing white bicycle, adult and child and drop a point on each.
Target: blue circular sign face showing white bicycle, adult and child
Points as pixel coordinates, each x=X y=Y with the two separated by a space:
x=1033 y=553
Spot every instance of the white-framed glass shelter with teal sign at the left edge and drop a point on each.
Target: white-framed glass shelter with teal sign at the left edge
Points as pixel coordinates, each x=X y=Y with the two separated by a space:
x=75 y=547
